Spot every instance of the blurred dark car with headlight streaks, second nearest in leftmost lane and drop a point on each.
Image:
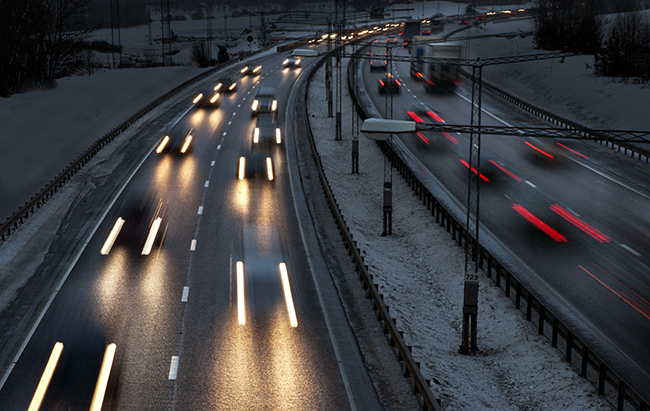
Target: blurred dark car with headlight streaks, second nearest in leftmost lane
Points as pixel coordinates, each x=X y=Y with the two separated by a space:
x=141 y=223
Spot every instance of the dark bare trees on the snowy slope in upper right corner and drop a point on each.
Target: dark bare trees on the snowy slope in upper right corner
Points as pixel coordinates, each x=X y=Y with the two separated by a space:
x=620 y=43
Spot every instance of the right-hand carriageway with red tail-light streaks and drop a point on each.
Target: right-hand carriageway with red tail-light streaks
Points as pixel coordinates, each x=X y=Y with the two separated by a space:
x=572 y=218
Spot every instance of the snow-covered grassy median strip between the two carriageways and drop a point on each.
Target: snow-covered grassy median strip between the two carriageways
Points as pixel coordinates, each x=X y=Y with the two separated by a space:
x=419 y=271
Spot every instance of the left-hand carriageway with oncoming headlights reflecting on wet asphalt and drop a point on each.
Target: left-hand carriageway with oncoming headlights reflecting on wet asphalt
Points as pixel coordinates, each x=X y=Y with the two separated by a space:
x=232 y=309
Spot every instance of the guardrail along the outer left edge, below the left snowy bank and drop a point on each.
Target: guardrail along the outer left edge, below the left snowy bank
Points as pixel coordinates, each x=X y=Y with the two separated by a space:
x=37 y=201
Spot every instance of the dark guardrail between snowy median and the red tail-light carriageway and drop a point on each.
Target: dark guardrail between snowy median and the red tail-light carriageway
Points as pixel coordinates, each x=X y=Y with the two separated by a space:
x=538 y=308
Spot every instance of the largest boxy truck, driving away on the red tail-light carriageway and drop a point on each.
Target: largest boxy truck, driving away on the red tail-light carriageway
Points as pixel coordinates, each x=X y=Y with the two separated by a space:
x=438 y=76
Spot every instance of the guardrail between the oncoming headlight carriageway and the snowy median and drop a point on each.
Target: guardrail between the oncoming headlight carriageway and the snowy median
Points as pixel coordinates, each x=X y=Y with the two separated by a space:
x=412 y=367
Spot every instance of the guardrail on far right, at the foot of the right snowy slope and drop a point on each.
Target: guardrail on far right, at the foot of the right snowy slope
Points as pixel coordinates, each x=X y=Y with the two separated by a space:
x=562 y=122
